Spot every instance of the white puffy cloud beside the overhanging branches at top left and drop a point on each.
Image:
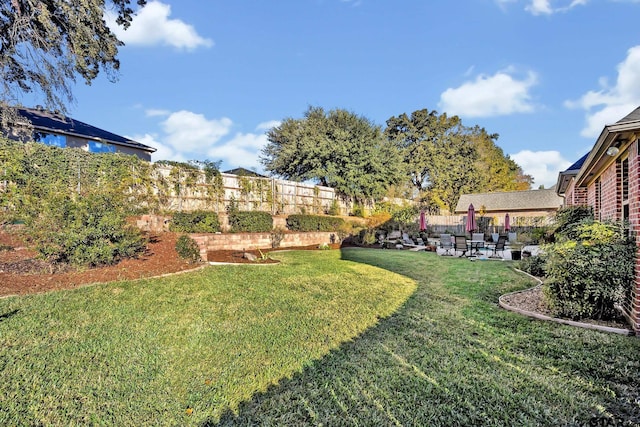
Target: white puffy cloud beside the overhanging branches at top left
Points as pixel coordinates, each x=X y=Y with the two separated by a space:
x=151 y=26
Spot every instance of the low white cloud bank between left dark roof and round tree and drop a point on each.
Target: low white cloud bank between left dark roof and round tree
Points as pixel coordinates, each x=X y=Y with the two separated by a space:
x=191 y=136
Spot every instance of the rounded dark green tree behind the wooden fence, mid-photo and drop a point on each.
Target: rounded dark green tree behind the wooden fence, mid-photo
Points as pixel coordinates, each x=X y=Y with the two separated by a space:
x=337 y=149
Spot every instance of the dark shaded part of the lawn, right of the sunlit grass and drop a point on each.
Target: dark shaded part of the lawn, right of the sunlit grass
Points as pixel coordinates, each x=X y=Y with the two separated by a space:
x=430 y=364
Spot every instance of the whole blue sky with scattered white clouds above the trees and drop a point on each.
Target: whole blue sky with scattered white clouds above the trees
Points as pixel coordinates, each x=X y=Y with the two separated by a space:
x=206 y=79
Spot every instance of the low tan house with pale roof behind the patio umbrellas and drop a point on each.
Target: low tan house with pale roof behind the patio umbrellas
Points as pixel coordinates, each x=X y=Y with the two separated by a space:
x=520 y=205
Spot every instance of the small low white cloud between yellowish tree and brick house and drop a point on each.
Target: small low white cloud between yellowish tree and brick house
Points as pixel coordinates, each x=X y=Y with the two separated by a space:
x=544 y=166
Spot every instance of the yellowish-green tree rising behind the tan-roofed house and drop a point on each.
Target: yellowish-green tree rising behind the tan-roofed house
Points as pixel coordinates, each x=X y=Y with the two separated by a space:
x=446 y=159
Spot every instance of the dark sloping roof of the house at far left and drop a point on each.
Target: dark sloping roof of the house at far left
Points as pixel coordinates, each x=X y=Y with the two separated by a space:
x=48 y=121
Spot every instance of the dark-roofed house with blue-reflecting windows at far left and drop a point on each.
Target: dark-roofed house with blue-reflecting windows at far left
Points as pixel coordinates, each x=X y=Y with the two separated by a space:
x=61 y=131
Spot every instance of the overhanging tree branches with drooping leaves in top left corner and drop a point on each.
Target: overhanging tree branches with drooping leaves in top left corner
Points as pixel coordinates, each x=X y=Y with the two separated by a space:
x=45 y=44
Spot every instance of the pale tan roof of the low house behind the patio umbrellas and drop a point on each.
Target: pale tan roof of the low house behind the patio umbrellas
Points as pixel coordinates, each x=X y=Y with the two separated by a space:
x=511 y=201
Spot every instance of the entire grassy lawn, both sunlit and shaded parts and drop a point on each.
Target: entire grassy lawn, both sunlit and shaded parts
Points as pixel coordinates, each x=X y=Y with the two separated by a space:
x=357 y=337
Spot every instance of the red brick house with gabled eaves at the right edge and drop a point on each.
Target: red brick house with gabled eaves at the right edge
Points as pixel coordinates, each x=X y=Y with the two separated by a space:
x=608 y=180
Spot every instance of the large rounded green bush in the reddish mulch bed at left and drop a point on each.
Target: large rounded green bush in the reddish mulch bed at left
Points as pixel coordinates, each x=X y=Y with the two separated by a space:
x=91 y=231
